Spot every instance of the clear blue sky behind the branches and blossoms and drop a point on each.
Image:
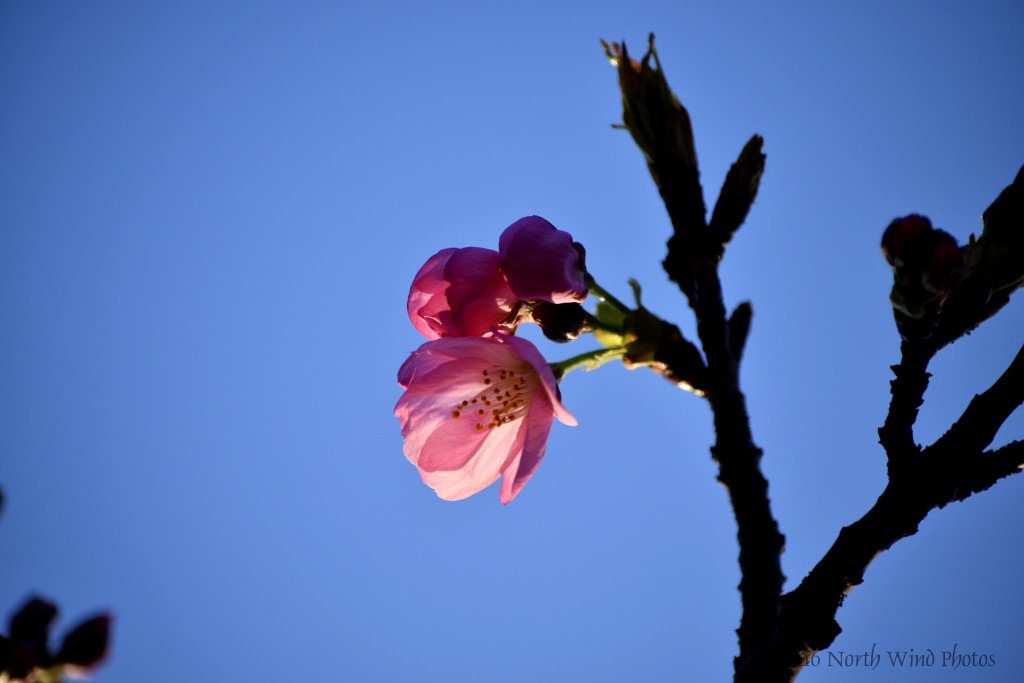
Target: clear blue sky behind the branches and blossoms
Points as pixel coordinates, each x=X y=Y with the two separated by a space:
x=210 y=215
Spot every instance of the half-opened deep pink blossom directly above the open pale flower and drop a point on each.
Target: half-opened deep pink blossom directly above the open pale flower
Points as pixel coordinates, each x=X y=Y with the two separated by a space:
x=461 y=292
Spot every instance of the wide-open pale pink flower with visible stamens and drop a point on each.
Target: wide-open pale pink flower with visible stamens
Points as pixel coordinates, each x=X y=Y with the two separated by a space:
x=477 y=409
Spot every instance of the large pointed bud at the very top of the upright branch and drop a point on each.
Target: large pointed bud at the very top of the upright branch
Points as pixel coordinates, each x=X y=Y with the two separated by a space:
x=655 y=117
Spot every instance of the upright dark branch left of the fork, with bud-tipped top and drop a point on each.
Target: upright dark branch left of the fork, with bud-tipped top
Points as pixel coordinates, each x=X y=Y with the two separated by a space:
x=661 y=127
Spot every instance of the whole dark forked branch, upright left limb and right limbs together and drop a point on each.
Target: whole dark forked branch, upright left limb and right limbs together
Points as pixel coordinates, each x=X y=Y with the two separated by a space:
x=780 y=633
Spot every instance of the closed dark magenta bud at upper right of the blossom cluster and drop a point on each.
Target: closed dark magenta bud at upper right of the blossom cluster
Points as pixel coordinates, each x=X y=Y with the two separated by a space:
x=542 y=264
